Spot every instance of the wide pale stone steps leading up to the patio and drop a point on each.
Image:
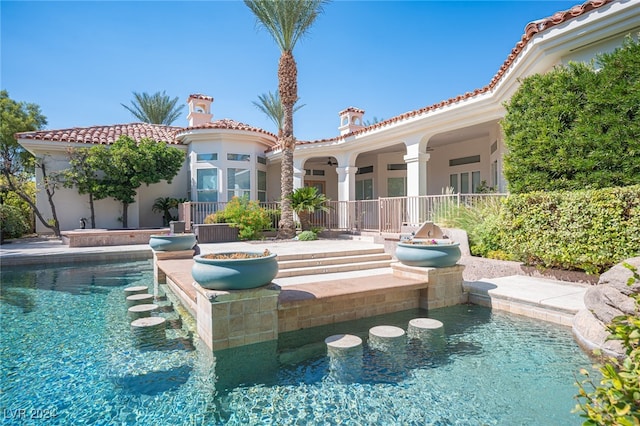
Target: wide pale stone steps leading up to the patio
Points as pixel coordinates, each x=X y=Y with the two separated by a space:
x=314 y=264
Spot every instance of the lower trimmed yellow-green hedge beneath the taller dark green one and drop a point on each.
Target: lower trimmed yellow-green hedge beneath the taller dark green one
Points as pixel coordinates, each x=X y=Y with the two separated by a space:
x=588 y=230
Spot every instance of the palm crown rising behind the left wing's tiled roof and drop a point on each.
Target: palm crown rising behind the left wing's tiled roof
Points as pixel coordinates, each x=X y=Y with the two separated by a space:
x=158 y=108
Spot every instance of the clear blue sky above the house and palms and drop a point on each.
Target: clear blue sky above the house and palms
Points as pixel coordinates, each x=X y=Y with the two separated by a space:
x=80 y=60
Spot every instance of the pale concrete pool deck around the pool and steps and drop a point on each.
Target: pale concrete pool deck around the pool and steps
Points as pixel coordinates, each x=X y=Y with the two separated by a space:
x=545 y=299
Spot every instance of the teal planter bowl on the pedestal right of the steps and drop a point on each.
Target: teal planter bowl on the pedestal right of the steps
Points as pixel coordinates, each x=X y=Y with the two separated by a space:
x=439 y=255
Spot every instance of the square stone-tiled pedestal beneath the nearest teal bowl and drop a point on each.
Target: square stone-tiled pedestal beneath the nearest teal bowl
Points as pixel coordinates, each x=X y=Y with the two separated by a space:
x=226 y=319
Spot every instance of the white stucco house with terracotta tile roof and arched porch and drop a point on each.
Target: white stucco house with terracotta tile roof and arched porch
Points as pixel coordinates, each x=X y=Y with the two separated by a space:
x=455 y=143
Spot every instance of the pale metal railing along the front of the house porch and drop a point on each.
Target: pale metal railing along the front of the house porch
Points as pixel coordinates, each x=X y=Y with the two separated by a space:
x=384 y=215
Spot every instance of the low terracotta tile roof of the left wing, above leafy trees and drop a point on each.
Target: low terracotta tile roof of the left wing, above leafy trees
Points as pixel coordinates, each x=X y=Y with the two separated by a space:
x=105 y=134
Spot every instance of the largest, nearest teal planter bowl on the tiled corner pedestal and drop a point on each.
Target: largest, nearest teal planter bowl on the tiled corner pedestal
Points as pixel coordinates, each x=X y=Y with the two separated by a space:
x=234 y=274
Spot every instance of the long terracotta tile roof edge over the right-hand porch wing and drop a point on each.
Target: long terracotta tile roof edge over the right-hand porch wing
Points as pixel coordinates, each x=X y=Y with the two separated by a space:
x=531 y=30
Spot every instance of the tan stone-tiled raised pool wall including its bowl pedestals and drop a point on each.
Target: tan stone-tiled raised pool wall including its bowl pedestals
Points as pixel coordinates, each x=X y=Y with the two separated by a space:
x=227 y=319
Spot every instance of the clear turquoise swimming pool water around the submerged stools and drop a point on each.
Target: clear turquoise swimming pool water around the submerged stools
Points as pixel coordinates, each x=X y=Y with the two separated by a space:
x=68 y=357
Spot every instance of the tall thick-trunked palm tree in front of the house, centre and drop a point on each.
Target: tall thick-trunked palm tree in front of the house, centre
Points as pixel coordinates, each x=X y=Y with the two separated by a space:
x=287 y=21
